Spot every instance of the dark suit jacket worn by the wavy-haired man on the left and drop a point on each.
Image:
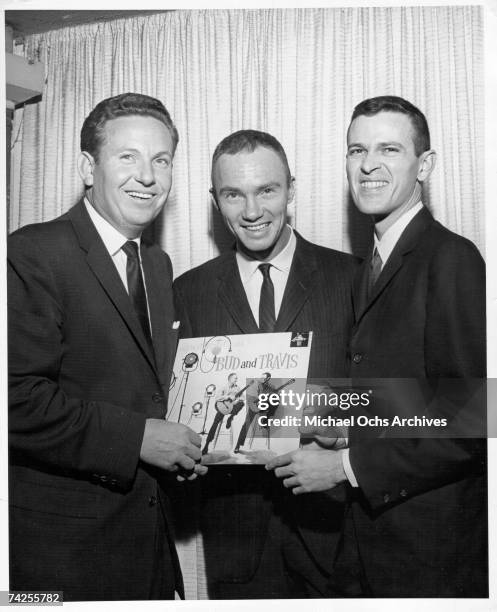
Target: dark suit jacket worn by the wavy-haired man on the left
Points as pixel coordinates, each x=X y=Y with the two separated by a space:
x=85 y=514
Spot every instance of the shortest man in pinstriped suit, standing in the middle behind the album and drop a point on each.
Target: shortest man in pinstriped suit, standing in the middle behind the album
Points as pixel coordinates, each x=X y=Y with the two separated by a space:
x=310 y=289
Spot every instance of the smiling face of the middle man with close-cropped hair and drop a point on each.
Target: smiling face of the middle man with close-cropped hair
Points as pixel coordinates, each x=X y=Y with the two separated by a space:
x=253 y=193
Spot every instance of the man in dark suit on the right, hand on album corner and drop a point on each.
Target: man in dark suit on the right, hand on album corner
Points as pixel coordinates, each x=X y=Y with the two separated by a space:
x=419 y=502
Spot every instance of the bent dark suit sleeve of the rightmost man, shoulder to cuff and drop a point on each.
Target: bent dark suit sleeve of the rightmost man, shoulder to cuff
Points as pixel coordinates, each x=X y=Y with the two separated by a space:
x=393 y=470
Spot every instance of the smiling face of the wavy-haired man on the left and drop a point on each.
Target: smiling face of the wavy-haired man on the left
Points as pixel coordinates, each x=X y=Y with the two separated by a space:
x=131 y=180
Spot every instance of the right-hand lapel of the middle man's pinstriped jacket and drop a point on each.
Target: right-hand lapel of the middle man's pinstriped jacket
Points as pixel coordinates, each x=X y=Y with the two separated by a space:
x=299 y=286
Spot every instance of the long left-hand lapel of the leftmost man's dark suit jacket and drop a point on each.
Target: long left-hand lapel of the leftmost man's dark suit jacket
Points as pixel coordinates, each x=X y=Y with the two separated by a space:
x=103 y=268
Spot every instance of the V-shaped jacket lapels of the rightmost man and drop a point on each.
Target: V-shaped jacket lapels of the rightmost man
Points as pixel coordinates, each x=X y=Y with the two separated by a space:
x=405 y=244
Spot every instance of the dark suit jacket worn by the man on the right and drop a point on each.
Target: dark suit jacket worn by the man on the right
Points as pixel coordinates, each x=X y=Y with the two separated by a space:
x=421 y=517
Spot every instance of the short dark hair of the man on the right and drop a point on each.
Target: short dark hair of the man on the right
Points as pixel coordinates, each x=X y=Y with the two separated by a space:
x=395 y=104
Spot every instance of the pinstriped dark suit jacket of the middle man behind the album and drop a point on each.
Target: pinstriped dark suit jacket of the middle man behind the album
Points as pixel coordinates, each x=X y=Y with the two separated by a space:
x=210 y=300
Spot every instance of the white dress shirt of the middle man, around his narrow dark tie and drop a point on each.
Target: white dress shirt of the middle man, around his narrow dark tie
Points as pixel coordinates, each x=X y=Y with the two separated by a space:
x=252 y=278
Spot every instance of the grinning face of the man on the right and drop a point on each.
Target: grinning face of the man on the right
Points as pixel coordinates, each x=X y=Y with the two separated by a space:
x=382 y=167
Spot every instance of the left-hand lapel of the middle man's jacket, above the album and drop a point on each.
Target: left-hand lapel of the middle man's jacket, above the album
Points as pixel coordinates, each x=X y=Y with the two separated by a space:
x=233 y=296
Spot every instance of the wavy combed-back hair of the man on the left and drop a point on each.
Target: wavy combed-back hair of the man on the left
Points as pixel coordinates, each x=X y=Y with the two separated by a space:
x=123 y=105
